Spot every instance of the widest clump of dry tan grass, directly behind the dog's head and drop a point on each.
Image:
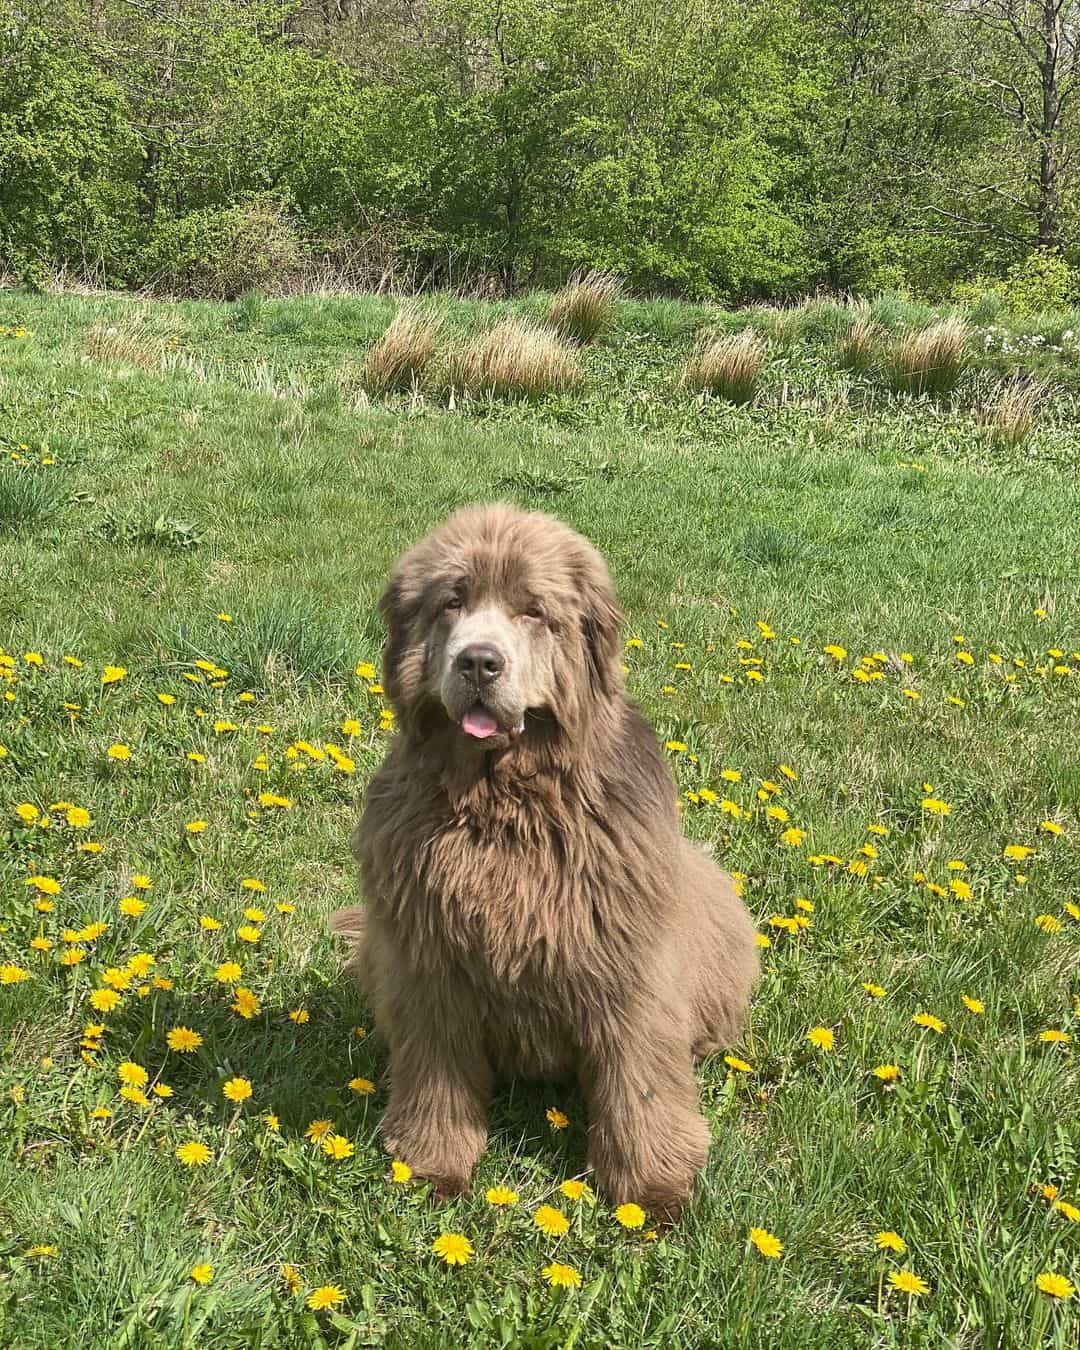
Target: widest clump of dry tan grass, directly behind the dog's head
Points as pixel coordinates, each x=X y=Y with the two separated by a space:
x=516 y=360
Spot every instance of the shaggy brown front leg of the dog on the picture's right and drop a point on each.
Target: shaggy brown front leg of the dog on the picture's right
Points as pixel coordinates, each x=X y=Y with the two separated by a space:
x=647 y=1139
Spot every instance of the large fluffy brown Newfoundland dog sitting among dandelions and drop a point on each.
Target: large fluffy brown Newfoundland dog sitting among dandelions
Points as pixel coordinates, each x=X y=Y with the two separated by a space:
x=533 y=907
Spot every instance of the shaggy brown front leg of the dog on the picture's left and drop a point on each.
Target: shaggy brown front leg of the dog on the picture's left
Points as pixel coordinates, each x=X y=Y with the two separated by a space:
x=441 y=1082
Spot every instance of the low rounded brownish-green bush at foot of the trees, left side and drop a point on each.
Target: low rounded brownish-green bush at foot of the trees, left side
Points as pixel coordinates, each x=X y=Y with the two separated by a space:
x=225 y=253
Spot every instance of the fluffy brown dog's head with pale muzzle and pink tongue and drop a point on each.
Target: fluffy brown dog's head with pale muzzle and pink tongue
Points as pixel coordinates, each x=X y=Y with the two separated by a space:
x=496 y=616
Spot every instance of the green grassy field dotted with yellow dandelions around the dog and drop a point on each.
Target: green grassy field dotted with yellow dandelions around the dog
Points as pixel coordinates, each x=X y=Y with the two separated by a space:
x=855 y=620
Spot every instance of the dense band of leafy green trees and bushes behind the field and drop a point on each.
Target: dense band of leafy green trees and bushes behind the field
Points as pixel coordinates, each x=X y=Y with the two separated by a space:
x=758 y=152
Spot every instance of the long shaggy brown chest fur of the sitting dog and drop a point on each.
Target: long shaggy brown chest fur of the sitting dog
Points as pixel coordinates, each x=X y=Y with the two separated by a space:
x=526 y=901
